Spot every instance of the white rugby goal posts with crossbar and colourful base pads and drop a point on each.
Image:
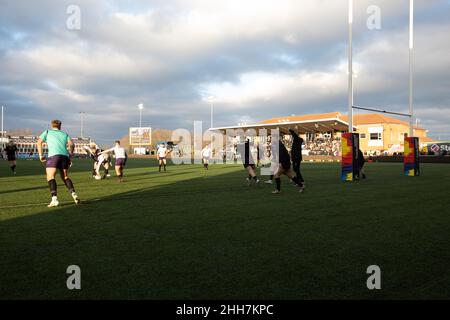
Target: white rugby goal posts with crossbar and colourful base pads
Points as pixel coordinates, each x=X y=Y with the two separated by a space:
x=350 y=140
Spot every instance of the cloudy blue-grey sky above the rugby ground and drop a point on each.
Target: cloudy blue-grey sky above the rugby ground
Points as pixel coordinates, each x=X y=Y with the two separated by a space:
x=259 y=58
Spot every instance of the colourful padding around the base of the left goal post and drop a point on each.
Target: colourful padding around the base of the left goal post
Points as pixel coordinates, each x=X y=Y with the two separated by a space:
x=350 y=146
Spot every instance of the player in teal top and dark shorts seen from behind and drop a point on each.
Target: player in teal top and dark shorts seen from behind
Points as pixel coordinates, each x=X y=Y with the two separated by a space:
x=60 y=150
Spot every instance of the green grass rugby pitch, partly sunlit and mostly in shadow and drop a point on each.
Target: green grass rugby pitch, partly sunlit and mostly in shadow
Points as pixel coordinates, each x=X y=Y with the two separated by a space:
x=191 y=234
